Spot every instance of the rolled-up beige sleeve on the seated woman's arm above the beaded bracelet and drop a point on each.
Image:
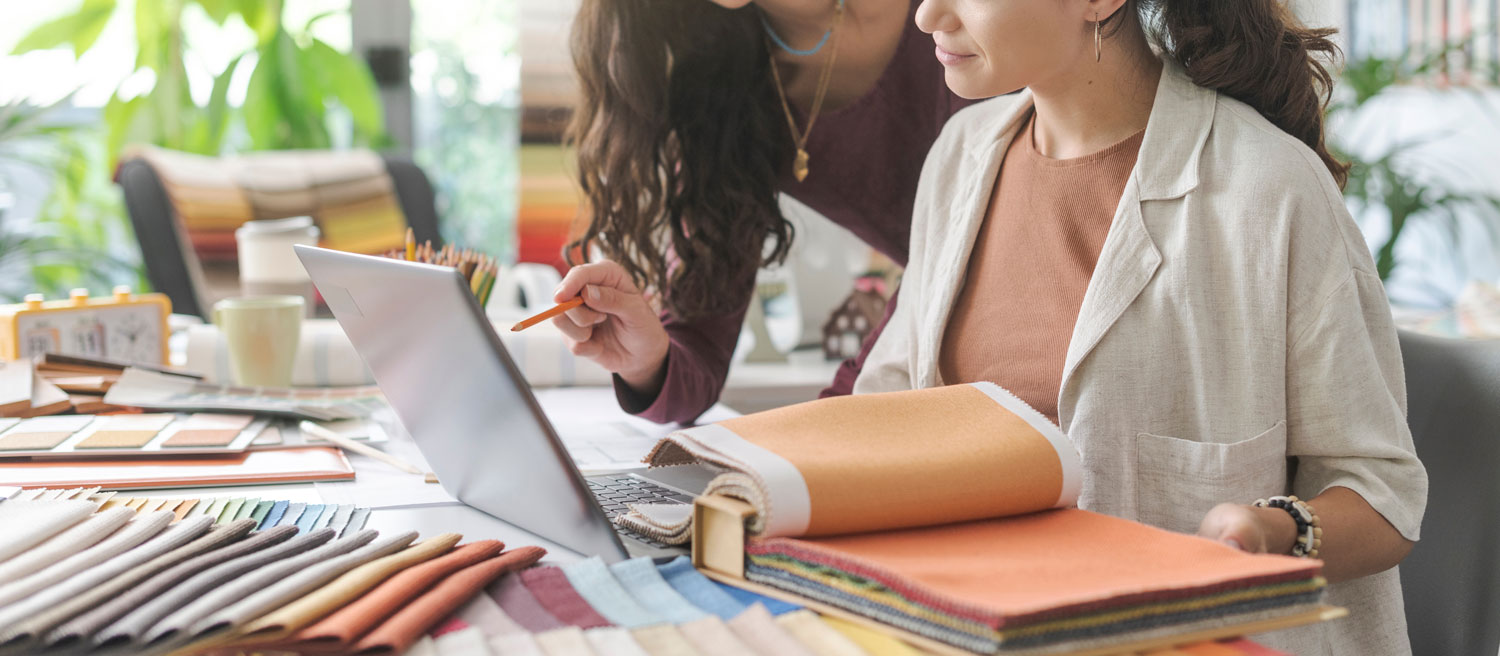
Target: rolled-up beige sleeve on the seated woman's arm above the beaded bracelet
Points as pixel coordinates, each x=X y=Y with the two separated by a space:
x=1346 y=406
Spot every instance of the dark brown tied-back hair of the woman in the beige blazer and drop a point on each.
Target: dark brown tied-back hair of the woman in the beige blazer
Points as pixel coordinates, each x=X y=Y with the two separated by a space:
x=1256 y=52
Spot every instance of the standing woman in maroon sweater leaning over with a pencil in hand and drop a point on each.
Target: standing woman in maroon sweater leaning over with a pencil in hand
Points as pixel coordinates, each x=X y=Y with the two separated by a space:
x=685 y=143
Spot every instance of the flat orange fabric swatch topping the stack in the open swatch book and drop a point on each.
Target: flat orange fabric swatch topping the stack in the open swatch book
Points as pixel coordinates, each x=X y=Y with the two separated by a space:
x=1043 y=565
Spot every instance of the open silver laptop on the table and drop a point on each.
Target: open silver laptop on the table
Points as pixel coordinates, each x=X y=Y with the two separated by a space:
x=472 y=412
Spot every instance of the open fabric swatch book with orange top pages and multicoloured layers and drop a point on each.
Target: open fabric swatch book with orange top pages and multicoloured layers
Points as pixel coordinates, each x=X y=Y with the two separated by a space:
x=950 y=514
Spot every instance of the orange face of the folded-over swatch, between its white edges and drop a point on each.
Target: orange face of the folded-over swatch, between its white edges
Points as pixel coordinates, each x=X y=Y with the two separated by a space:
x=881 y=462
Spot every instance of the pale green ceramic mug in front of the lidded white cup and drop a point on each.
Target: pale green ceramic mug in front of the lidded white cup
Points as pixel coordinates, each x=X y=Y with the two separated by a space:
x=262 y=334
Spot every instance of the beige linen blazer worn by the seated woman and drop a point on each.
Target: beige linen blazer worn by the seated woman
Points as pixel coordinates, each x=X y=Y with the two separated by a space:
x=1235 y=340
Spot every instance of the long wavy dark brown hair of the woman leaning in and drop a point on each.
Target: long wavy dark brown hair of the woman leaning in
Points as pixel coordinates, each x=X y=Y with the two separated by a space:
x=680 y=146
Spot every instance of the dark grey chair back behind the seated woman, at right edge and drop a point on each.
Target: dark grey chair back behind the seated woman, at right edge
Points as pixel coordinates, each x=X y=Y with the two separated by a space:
x=1451 y=580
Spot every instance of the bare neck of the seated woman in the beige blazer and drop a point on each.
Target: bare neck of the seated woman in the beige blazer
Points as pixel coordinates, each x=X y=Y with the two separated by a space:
x=1091 y=106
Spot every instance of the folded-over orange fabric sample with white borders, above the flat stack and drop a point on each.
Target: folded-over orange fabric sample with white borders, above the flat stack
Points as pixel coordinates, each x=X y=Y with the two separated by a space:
x=848 y=465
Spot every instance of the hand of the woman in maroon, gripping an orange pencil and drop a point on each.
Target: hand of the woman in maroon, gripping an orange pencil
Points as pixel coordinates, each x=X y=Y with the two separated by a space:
x=614 y=325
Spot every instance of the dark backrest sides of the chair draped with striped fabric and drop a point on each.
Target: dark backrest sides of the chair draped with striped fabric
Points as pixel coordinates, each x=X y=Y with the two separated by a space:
x=175 y=269
